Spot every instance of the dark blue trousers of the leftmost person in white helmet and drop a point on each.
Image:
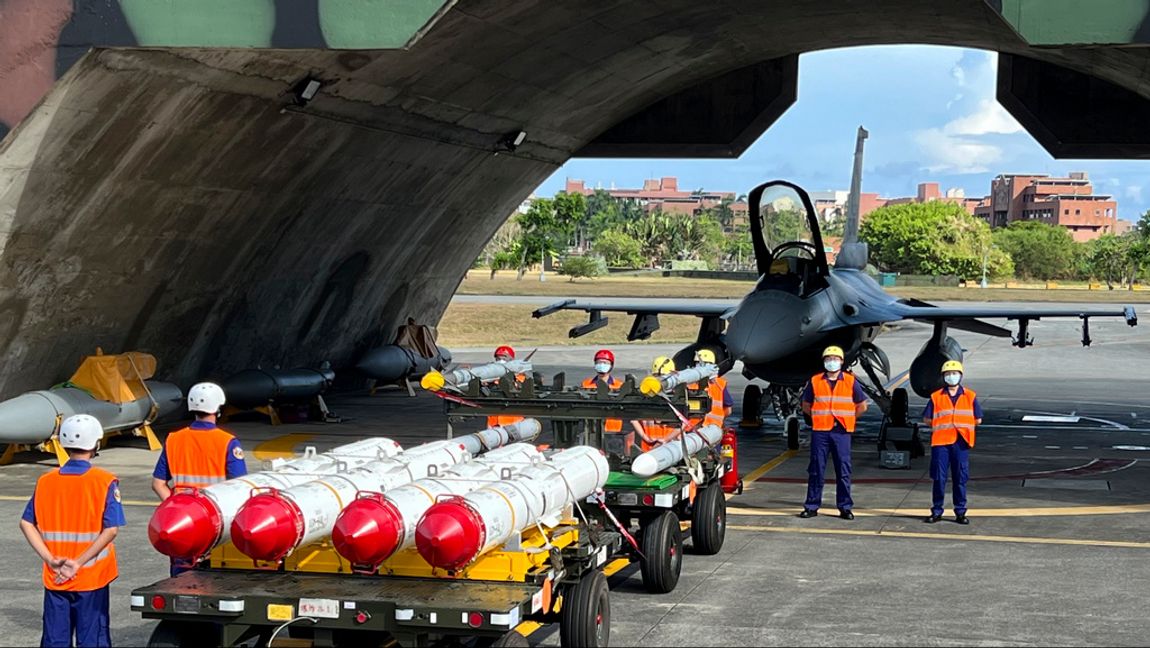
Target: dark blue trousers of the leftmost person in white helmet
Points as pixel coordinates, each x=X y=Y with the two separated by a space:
x=85 y=614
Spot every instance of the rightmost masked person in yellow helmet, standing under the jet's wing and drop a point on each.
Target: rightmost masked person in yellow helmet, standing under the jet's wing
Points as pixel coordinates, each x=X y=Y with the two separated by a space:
x=953 y=415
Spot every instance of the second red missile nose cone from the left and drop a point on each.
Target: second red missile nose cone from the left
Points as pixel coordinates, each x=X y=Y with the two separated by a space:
x=267 y=528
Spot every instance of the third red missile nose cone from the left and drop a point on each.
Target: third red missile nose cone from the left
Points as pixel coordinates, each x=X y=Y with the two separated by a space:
x=367 y=532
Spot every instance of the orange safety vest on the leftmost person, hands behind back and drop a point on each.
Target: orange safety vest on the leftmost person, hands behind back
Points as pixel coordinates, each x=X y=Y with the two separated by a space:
x=70 y=515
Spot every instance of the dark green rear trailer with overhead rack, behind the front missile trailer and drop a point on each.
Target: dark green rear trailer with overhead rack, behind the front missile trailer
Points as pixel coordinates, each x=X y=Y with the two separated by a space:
x=687 y=493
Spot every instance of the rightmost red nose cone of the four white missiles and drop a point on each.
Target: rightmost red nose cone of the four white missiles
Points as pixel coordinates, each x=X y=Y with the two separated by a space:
x=450 y=536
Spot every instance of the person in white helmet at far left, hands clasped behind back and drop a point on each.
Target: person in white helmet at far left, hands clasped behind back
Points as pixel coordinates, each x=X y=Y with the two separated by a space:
x=71 y=522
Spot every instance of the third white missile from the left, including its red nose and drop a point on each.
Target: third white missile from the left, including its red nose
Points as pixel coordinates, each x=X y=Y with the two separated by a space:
x=374 y=527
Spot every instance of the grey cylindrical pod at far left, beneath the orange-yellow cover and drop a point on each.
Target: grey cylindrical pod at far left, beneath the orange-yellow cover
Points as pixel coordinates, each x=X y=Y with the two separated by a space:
x=33 y=417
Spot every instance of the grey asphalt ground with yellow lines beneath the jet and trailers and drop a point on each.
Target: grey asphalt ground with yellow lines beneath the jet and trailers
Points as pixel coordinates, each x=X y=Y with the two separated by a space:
x=1057 y=552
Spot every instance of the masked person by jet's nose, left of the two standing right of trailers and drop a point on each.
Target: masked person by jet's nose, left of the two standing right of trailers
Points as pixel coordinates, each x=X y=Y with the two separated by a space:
x=834 y=401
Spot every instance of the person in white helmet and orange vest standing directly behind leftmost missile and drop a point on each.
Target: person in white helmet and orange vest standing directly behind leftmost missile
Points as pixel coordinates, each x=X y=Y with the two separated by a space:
x=198 y=455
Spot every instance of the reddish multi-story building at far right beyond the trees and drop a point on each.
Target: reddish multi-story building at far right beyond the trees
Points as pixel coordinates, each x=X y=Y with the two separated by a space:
x=1068 y=202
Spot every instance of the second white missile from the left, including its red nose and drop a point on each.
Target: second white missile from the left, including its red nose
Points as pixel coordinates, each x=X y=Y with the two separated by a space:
x=271 y=525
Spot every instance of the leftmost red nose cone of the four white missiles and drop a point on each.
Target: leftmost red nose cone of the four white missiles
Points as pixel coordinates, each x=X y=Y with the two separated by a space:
x=186 y=525
